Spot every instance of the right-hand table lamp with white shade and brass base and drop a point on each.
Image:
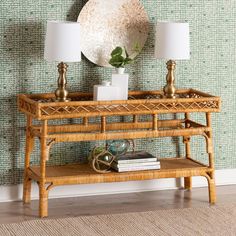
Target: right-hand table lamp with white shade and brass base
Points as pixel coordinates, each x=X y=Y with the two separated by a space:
x=172 y=43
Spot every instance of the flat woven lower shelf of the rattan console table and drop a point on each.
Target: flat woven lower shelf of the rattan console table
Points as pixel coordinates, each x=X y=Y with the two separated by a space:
x=84 y=174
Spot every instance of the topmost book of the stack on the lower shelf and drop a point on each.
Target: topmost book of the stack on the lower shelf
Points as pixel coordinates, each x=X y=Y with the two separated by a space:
x=136 y=157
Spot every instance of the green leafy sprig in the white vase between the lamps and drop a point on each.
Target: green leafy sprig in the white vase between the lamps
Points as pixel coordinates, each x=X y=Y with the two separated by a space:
x=120 y=57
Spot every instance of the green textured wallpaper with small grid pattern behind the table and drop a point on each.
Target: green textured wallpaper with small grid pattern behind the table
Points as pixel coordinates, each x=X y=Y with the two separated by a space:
x=212 y=69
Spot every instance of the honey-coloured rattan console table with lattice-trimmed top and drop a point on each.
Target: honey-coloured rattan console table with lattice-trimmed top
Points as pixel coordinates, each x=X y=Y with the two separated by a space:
x=43 y=109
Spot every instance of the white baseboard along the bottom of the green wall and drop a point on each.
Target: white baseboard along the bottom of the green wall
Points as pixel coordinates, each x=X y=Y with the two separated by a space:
x=14 y=193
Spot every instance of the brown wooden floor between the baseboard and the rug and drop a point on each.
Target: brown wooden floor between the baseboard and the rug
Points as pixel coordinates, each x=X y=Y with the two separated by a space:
x=110 y=204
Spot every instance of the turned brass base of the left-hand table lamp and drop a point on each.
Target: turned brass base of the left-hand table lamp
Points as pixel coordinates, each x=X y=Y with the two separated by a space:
x=61 y=92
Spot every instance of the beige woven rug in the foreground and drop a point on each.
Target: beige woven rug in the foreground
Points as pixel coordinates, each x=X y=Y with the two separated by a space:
x=212 y=220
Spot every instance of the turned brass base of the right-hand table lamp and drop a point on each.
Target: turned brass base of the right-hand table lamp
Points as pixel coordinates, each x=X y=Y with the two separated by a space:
x=169 y=89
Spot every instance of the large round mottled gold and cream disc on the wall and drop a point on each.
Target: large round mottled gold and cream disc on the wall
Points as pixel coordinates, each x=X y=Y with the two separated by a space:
x=106 y=24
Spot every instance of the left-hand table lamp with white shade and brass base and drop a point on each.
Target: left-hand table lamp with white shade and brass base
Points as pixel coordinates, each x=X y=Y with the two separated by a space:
x=62 y=44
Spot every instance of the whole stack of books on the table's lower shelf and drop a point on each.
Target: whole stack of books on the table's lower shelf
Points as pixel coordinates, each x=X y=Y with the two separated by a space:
x=135 y=161
